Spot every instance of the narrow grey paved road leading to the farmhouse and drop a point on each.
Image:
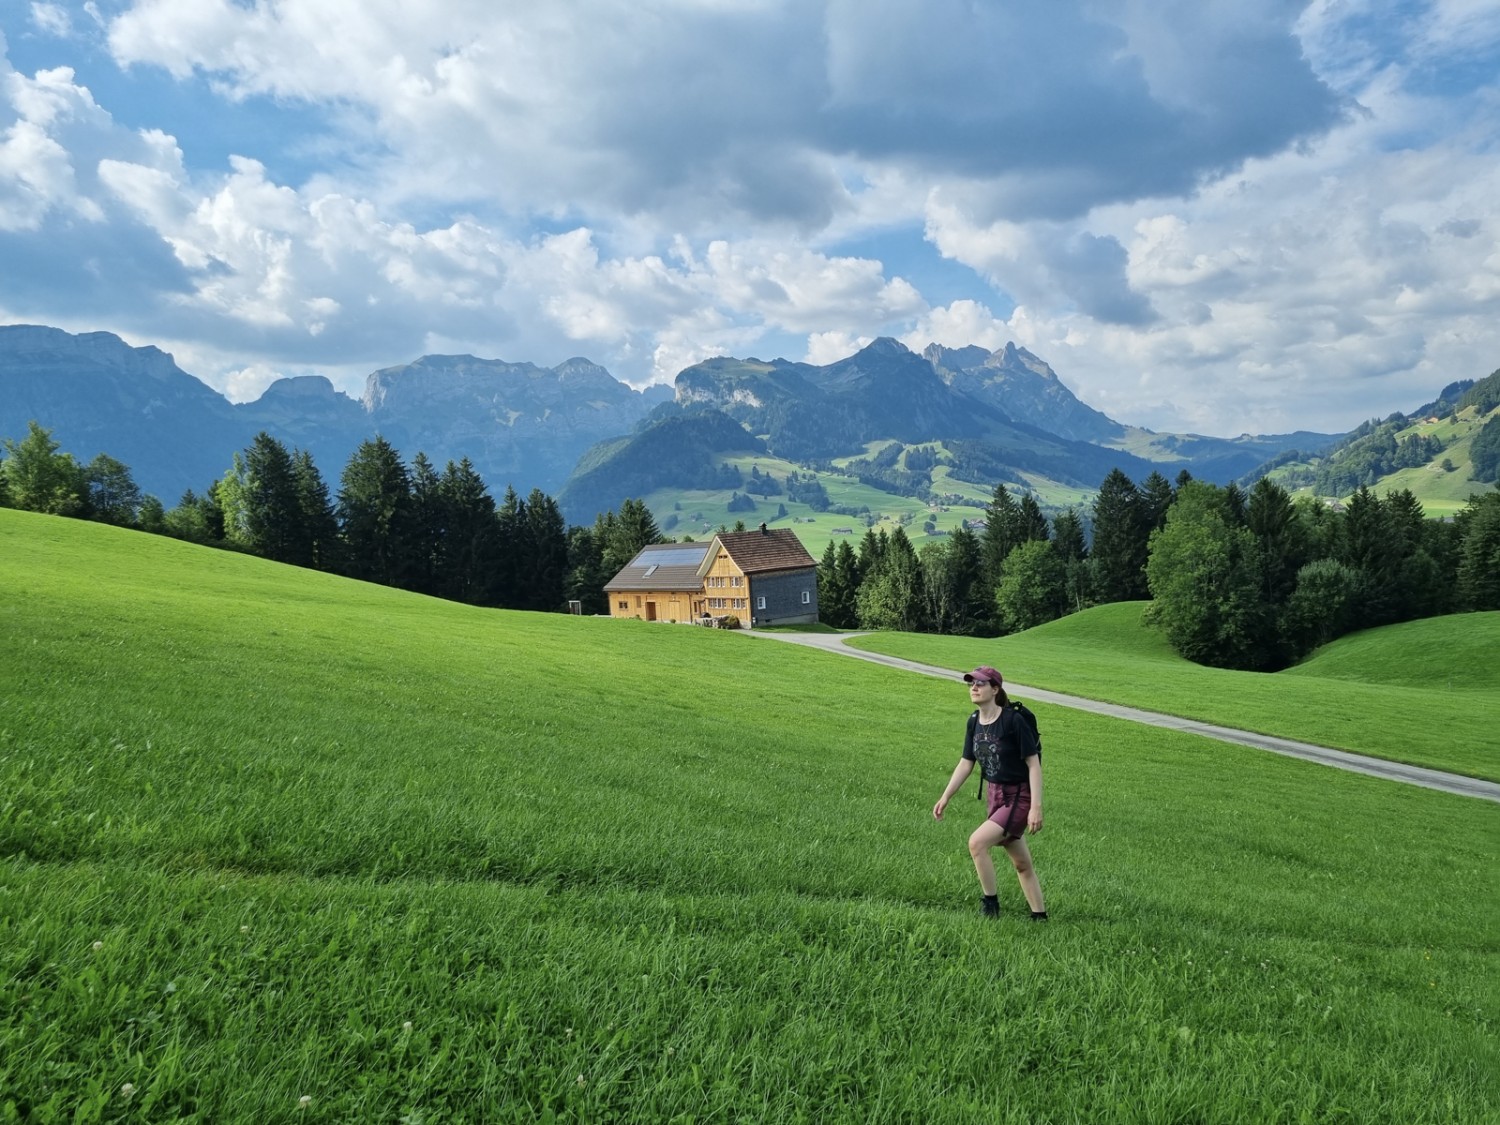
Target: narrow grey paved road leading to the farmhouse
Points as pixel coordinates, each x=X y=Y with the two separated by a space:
x=1360 y=764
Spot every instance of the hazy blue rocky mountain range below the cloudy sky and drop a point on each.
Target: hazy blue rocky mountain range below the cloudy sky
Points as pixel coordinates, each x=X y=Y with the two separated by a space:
x=577 y=431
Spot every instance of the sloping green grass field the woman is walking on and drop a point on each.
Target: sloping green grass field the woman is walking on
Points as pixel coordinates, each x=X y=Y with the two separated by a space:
x=284 y=848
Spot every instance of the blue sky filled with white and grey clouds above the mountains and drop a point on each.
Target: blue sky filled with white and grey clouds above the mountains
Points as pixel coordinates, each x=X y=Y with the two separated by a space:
x=1213 y=217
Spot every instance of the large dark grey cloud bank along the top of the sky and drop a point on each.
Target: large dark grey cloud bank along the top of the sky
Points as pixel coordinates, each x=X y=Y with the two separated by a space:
x=766 y=110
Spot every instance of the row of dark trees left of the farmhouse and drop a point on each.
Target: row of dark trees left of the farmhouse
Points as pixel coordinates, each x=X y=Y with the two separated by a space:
x=403 y=526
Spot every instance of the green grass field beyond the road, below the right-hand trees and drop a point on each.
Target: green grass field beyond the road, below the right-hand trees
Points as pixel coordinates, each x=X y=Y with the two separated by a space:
x=1424 y=692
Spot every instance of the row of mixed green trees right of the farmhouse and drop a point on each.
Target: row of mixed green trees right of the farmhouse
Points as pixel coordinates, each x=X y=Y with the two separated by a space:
x=1237 y=580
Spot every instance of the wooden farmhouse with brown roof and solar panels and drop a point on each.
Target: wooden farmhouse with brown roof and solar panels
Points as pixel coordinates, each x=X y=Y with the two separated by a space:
x=764 y=578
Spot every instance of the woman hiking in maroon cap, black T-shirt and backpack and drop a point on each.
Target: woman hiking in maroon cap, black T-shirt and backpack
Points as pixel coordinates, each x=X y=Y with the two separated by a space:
x=1010 y=760
